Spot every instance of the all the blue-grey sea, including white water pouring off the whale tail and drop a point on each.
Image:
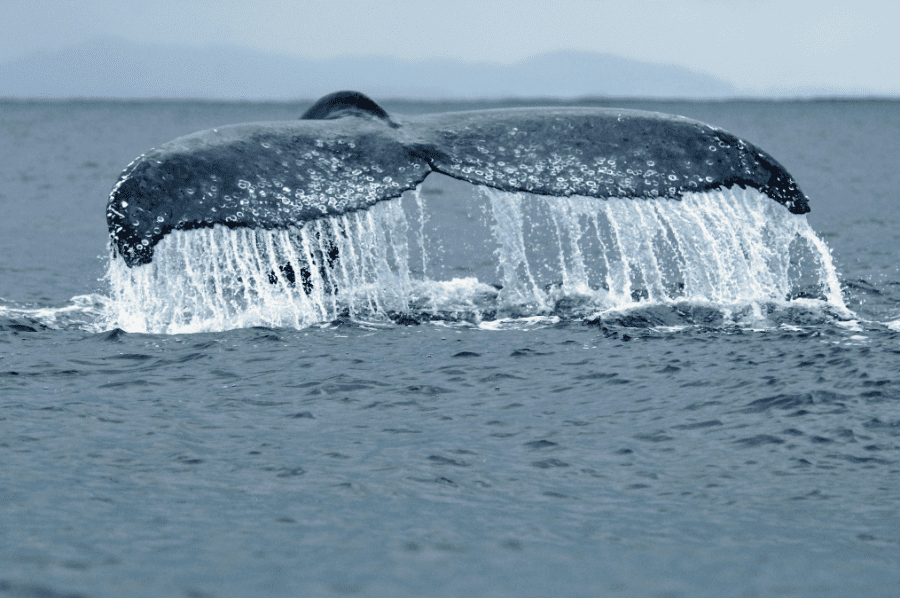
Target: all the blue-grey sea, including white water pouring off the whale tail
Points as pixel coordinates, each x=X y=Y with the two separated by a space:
x=489 y=394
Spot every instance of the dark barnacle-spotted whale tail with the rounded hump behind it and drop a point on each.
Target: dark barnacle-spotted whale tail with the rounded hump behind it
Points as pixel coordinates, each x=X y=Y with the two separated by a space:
x=346 y=153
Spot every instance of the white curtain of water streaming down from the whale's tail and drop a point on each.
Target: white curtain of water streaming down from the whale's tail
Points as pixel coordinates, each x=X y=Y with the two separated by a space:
x=519 y=255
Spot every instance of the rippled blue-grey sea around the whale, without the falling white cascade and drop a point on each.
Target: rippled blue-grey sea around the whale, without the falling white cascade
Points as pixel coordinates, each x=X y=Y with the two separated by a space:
x=668 y=450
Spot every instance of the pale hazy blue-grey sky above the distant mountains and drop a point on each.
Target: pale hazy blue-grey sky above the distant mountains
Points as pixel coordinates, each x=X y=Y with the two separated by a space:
x=758 y=45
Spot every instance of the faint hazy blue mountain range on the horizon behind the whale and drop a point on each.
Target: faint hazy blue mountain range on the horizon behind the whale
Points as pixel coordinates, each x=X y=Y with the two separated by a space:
x=115 y=68
